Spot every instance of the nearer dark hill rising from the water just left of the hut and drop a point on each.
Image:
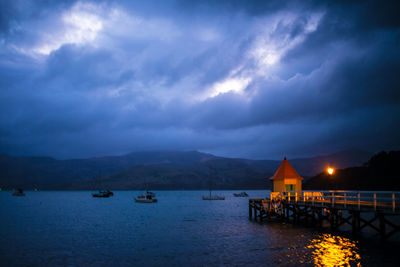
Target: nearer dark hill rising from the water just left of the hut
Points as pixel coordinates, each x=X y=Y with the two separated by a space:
x=220 y=173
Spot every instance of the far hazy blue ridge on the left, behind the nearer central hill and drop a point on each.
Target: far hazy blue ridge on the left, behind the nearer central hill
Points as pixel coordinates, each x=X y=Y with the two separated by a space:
x=49 y=173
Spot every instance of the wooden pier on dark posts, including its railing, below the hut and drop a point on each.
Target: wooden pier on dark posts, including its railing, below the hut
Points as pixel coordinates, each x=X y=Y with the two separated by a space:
x=358 y=209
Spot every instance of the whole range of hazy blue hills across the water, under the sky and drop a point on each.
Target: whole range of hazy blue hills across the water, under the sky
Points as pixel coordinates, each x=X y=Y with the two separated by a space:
x=157 y=169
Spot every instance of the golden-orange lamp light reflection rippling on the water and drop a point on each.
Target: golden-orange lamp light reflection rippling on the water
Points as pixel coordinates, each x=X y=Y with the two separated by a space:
x=330 y=250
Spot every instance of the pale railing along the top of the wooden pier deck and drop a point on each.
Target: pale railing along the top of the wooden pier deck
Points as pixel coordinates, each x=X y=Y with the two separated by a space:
x=355 y=200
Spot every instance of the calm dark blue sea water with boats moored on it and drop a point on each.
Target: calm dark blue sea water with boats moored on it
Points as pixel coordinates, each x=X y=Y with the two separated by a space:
x=70 y=228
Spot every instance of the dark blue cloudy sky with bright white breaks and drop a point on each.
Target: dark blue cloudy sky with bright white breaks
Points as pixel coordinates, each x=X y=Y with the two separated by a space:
x=256 y=79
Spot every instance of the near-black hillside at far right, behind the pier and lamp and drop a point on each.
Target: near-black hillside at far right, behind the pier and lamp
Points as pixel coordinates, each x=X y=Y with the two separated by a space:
x=378 y=173
